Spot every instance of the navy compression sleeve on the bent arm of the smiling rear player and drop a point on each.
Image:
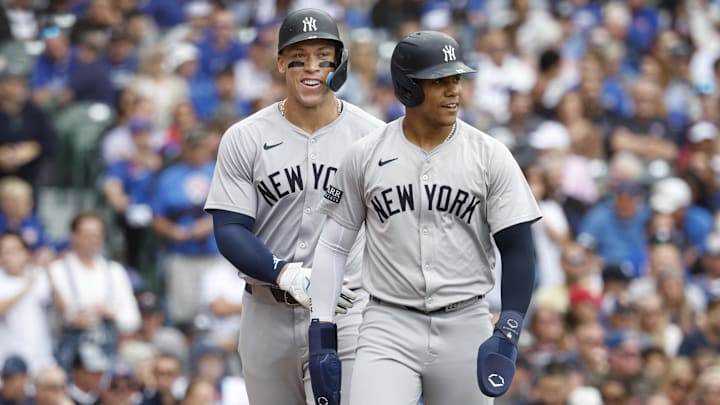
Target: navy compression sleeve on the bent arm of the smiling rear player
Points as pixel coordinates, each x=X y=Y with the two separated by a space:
x=235 y=240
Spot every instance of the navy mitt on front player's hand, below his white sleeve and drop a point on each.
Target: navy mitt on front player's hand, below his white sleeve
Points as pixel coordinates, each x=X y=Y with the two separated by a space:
x=325 y=366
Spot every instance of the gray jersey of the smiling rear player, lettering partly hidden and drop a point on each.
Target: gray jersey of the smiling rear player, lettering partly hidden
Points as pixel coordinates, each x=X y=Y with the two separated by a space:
x=277 y=173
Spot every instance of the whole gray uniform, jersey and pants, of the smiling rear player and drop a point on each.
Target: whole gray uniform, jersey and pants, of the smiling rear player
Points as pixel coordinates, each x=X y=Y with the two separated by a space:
x=277 y=173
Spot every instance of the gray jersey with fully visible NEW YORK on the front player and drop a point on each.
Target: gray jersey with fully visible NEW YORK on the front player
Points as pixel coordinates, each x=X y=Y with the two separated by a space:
x=429 y=216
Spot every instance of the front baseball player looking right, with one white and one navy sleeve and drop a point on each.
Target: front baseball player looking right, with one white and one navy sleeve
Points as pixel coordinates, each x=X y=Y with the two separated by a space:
x=433 y=193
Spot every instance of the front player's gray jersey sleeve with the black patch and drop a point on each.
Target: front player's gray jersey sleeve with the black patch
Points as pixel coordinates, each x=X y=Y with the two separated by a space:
x=344 y=198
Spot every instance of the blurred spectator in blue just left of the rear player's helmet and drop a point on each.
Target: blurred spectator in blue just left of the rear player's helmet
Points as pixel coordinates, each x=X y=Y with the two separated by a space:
x=220 y=48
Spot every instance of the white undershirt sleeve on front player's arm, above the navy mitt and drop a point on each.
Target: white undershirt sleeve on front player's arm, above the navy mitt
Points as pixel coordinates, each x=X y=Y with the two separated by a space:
x=329 y=268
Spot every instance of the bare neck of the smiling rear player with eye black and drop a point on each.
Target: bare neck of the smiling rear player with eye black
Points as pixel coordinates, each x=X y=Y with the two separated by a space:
x=311 y=118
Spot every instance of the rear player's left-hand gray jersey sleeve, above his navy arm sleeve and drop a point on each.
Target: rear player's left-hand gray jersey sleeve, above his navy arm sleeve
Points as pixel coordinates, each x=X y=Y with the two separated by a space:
x=232 y=186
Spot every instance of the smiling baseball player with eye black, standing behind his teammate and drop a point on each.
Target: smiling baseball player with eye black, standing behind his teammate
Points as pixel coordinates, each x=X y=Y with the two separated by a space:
x=272 y=171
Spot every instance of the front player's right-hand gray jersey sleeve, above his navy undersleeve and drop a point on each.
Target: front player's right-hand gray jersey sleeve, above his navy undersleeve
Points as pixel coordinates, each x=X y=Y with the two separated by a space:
x=510 y=200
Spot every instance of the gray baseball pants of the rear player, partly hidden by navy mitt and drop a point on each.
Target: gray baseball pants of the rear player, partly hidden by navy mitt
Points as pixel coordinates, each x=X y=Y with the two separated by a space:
x=273 y=348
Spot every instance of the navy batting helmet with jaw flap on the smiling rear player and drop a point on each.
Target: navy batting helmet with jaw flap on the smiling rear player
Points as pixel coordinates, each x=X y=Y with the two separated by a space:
x=311 y=23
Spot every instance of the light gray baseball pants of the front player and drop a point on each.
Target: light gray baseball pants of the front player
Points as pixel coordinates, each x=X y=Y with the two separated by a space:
x=403 y=355
